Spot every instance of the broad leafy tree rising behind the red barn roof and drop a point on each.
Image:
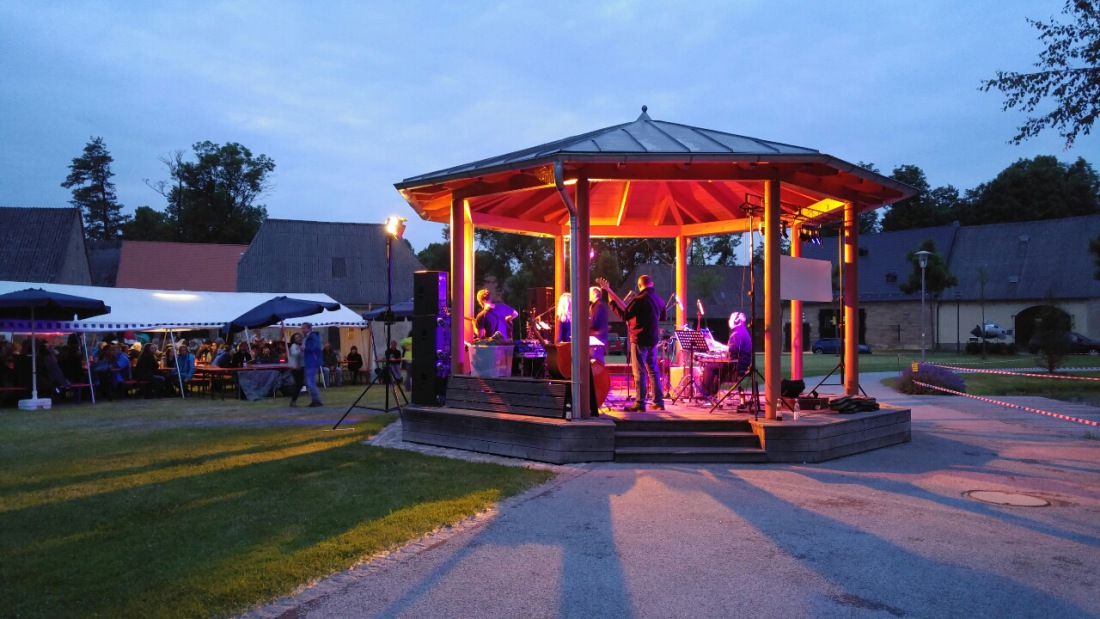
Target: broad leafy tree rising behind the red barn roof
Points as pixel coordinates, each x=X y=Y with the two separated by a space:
x=214 y=200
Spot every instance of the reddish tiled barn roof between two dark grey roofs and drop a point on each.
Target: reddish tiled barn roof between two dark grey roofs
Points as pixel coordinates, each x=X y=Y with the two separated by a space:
x=179 y=267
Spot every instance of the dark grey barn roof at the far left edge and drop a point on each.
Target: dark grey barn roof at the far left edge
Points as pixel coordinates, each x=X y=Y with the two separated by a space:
x=45 y=246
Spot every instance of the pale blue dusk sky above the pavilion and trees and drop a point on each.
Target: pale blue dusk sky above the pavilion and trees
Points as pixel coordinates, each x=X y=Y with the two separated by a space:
x=351 y=97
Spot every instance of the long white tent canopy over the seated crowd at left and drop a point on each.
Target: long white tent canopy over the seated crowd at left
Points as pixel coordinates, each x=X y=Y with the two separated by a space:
x=135 y=309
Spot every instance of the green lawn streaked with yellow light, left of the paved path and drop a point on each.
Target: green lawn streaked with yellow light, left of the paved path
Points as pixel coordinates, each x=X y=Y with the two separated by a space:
x=201 y=509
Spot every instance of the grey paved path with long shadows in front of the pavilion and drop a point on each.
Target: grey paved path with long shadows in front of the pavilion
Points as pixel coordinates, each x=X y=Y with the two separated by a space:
x=887 y=534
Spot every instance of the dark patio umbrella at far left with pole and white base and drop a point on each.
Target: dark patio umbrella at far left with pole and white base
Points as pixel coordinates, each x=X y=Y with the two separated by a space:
x=38 y=304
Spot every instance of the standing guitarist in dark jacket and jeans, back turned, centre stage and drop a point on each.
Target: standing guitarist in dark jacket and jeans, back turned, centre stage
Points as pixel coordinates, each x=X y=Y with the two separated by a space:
x=643 y=315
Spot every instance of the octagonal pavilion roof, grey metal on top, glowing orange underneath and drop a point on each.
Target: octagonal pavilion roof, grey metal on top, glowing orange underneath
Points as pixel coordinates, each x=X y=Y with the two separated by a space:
x=654 y=178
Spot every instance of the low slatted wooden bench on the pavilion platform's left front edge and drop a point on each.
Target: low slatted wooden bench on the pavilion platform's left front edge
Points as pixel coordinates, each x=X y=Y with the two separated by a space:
x=537 y=397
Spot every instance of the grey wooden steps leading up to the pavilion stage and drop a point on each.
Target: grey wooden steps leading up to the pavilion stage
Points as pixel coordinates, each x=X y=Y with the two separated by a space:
x=684 y=440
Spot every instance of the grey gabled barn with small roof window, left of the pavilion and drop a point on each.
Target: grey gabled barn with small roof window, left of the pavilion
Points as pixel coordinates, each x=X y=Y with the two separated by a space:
x=346 y=261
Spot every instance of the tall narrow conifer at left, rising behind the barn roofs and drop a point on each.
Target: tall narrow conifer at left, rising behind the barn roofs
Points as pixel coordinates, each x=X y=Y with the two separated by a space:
x=94 y=193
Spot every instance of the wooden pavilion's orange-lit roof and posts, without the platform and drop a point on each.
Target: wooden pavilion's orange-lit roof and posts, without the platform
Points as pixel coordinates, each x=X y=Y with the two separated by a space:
x=651 y=179
